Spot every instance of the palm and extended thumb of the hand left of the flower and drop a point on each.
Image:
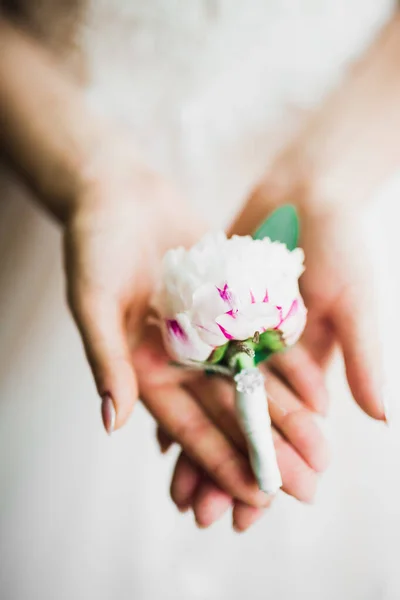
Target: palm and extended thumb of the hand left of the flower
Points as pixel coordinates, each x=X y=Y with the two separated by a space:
x=122 y=222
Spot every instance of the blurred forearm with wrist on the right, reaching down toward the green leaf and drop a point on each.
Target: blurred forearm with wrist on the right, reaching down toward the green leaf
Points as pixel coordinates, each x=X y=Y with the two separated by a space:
x=349 y=146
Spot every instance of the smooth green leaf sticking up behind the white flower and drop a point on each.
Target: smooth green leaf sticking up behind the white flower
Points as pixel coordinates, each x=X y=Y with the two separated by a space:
x=281 y=226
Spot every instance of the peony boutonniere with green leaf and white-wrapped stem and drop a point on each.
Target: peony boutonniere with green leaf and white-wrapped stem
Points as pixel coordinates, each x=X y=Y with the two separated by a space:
x=228 y=304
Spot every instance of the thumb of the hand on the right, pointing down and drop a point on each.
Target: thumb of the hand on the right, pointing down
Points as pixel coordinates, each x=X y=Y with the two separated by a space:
x=359 y=341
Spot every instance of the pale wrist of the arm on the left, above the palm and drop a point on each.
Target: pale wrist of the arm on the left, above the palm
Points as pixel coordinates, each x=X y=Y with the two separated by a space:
x=115 y=186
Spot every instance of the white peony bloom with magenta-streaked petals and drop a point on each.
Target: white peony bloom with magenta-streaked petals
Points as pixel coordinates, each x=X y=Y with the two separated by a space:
x=228 y=289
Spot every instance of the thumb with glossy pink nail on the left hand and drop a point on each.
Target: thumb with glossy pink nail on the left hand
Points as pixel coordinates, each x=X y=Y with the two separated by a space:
x=101 y=324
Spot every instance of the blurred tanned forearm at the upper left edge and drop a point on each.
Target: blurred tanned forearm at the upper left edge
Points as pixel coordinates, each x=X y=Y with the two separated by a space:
x=45 y=128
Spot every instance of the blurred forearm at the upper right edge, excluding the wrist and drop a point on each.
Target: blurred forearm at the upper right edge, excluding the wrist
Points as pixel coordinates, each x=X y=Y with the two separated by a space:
x=353 y=142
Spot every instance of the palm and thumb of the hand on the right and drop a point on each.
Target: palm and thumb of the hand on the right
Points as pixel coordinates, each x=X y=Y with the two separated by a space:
x=337 y=290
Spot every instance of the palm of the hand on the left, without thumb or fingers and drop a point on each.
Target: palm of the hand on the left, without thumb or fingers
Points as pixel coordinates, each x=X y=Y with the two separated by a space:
x=115 y=249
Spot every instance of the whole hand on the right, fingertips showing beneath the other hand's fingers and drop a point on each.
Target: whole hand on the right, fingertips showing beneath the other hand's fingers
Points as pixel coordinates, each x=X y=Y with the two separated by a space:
x=340 y=311
